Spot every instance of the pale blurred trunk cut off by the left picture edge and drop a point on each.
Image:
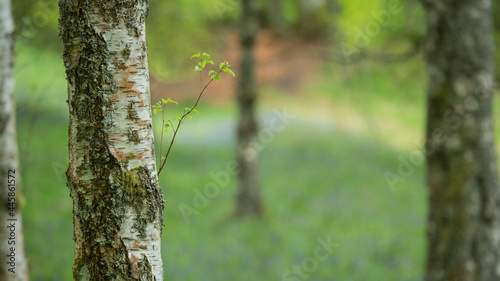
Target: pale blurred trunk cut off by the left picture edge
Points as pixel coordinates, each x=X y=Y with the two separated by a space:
x=13 y=265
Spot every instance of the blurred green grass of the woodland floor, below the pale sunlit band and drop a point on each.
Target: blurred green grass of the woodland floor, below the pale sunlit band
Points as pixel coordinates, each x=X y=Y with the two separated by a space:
x=313 y=187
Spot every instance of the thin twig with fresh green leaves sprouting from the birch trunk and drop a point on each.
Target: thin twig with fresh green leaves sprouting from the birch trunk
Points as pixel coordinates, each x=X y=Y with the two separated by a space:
x=174 y=124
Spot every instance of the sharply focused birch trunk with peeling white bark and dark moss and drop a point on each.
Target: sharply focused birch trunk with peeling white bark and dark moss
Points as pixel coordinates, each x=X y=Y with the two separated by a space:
x=117 y=200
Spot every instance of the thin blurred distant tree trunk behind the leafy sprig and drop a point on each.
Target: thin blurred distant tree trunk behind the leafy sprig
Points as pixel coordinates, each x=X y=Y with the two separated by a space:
x=248 y=200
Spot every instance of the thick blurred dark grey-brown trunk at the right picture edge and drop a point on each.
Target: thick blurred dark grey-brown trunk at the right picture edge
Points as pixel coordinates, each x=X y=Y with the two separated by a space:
x=462 y=169
